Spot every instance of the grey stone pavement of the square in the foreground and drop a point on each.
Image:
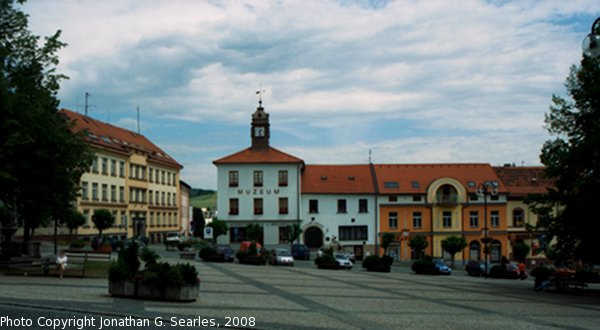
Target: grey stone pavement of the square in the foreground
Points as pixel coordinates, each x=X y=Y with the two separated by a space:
x=308 y=298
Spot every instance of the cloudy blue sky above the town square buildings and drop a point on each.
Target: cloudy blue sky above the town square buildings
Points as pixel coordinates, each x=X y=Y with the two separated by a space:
x=402 y=81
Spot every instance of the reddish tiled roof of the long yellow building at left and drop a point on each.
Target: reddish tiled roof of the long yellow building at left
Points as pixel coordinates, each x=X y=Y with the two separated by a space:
x=110 y=137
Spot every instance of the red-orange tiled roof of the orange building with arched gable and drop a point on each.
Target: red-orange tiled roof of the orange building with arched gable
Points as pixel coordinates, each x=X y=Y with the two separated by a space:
x=416 y=178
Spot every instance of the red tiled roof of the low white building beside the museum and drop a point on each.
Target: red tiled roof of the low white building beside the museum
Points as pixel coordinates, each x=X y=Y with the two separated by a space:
x=337 y=179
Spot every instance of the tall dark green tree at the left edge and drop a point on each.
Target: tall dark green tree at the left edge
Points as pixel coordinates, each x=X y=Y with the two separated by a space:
x=41 y=160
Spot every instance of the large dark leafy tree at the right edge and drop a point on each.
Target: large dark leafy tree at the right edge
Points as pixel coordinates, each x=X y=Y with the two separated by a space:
x=572 y=159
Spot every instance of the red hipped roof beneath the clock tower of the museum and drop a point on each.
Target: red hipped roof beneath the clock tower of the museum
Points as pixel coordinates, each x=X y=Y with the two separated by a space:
x=268 y=155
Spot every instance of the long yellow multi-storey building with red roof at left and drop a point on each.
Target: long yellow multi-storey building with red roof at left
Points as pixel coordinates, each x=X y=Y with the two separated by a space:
x=132 y=178
